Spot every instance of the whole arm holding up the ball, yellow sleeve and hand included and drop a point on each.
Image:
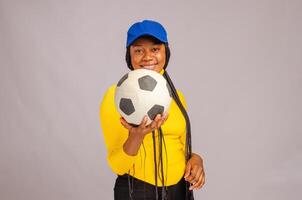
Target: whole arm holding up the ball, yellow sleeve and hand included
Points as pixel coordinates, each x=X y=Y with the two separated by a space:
x=122 y=140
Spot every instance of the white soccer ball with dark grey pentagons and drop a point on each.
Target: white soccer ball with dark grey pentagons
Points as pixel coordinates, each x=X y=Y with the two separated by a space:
x=142 y=92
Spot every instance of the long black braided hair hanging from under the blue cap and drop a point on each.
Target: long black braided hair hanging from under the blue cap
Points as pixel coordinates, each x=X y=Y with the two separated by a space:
x=188 y=145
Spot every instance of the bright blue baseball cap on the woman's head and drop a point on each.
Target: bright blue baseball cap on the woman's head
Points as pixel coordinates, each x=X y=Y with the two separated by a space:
x=146 y=27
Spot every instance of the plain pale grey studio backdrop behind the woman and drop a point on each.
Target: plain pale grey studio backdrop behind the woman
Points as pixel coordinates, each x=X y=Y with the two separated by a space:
x=238 y=64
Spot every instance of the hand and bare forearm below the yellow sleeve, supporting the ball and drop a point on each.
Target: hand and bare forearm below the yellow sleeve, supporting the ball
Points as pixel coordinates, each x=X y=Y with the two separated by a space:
x=137 y=134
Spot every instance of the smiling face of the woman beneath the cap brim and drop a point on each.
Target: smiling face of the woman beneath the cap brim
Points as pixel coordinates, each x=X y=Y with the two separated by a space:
x=145 y=53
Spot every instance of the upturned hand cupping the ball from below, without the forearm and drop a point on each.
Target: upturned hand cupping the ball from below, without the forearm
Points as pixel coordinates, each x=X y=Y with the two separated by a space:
x=143 y=128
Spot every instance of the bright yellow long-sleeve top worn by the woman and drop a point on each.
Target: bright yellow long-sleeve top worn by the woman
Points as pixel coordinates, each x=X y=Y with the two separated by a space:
x=141 y=166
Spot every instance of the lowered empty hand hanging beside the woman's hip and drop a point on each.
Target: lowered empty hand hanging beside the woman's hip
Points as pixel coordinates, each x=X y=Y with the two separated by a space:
x=194 y=172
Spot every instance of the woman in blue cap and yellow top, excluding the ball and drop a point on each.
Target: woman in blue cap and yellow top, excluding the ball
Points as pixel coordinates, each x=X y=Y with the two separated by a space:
x=152 y=161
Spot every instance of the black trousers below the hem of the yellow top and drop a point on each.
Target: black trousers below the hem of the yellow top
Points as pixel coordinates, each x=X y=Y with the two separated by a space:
x=145 y=191
